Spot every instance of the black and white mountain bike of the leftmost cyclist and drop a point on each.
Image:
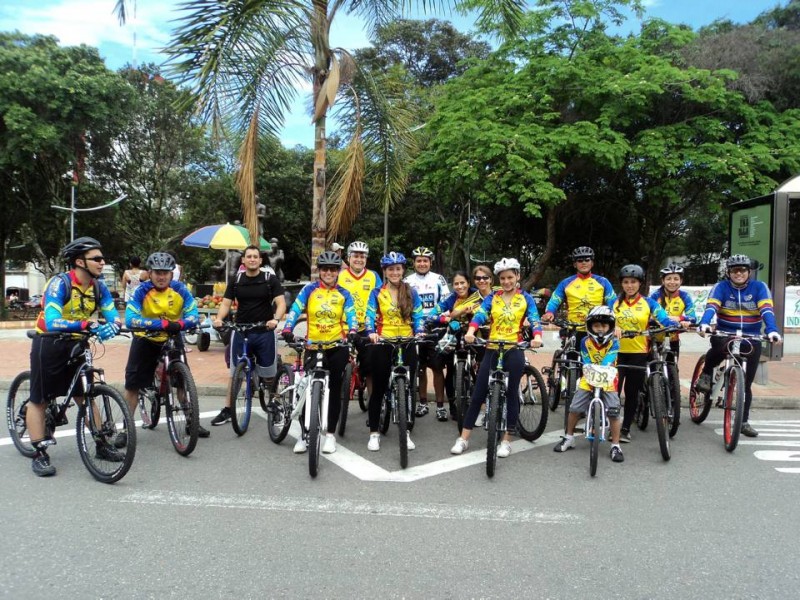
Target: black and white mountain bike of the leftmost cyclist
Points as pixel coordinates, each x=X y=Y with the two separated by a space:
x=103 y=413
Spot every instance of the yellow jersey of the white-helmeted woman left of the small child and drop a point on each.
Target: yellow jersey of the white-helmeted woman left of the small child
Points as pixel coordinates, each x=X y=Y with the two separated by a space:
x=507 y=317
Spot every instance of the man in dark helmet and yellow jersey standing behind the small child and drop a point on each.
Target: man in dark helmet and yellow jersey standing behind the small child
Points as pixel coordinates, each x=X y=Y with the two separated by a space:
x=580 y=292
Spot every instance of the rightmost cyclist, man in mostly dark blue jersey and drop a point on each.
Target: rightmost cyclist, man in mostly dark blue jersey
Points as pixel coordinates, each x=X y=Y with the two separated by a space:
x=740 y=304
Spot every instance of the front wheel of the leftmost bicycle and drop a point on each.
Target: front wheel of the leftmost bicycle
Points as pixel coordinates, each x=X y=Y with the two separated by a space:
x=102 y=416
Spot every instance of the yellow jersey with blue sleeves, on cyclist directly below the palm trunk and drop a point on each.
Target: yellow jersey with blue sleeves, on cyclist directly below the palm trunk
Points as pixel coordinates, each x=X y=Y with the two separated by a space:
x=331 y=312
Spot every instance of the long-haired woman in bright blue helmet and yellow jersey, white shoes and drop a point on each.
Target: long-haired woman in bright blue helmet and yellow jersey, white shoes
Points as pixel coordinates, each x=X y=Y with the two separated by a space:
x=393 y=310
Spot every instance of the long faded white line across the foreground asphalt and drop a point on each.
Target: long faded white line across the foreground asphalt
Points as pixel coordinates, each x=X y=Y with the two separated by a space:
x=349 y=507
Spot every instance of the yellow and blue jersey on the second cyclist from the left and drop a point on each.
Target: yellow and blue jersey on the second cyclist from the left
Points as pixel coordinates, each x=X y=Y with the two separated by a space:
x=150 y=308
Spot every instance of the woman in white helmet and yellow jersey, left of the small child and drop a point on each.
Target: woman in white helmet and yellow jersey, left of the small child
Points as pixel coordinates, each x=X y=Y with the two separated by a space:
x=508 y=309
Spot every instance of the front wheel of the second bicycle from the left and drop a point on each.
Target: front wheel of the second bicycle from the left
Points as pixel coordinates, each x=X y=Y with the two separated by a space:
x=183 y=409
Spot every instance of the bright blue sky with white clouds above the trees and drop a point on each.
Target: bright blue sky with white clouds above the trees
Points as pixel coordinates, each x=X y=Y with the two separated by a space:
x=92 y=22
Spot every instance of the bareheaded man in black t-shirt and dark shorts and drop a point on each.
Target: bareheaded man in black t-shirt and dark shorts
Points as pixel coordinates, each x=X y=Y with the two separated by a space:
x=260 y=299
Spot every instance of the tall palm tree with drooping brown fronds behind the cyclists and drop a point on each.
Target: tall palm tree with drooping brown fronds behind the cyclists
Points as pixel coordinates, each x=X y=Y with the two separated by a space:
x=244 y=60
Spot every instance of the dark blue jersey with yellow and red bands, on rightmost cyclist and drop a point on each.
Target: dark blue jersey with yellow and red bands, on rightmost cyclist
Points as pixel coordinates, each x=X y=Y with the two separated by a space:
x=740 y=309
